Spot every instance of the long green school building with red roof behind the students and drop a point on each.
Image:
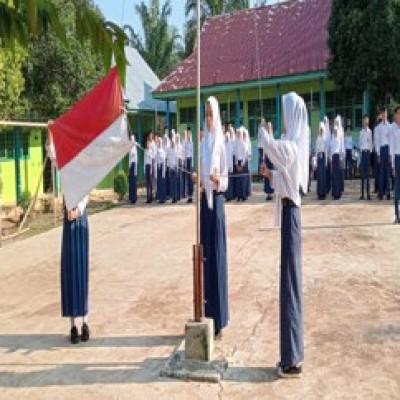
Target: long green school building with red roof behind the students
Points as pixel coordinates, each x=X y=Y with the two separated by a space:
x=250 y=58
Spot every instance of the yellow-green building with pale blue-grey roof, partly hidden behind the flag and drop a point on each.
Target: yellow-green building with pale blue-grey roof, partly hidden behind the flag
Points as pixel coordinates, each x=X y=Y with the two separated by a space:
x=22 y=150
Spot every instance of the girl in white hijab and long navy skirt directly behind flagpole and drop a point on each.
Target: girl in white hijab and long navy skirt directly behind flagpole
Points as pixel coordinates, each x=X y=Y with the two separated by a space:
x=214 y=182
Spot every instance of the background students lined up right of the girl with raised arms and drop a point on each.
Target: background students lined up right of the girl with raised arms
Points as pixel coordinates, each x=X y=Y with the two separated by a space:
x=380 y=149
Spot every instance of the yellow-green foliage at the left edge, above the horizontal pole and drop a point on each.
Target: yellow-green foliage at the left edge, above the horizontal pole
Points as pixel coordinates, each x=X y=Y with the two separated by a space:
x=11 y=82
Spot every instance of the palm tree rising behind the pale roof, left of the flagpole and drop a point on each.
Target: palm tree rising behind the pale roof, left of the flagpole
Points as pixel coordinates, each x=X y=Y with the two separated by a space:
x=160 y=46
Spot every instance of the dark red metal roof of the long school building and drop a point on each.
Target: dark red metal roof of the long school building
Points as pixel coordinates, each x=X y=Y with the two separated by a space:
x=277 y=40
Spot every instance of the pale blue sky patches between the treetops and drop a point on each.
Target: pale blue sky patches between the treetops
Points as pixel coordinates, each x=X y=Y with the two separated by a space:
x=123 y=11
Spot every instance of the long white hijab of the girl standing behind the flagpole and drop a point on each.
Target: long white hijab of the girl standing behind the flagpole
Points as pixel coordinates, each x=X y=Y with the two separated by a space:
x=211 y=150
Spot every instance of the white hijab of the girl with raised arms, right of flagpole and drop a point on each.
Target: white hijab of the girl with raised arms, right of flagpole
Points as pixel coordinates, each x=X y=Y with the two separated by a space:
x=296 y=122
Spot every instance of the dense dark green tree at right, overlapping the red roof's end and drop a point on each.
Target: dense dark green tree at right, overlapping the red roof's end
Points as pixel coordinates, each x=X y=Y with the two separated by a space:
x=363 y=42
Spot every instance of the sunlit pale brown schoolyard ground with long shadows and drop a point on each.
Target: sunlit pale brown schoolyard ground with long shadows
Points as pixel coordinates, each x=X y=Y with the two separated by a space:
x=141 y=297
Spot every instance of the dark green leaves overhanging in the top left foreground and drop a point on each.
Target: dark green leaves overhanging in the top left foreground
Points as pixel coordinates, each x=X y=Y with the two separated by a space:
x=20 y=20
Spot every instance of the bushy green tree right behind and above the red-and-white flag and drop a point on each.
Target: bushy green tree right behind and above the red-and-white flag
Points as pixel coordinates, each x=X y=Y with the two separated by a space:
x=56 y=76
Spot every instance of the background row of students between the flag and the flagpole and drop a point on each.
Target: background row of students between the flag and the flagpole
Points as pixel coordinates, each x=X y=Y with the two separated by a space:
x=168 y=164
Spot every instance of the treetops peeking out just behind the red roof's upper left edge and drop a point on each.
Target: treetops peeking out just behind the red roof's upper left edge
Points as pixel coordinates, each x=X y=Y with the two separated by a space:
x=209 y=8
